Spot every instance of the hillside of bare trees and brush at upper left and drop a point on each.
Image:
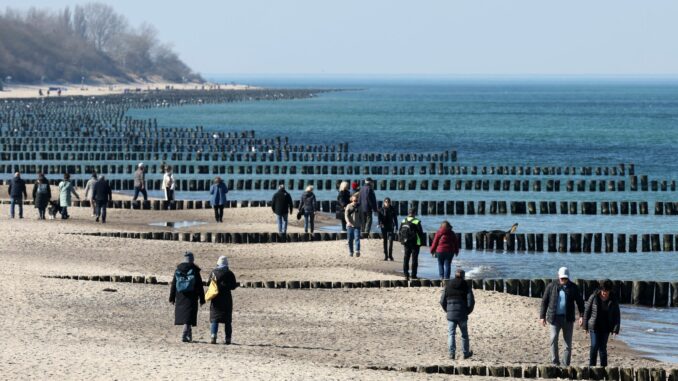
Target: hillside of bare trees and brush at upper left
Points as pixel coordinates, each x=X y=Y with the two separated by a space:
x=92 y=41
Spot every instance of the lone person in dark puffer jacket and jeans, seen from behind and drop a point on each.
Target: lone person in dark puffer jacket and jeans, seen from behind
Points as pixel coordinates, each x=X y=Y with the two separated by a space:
x=457 y=300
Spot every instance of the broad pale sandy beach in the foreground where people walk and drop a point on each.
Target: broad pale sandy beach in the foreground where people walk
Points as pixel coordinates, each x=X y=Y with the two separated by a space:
x=74 y=330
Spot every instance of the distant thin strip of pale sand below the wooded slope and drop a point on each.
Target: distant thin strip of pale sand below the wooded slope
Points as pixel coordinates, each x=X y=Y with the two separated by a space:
x=71 y=89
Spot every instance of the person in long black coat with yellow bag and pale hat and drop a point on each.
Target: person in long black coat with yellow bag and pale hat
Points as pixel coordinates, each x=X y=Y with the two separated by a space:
x=221 y=307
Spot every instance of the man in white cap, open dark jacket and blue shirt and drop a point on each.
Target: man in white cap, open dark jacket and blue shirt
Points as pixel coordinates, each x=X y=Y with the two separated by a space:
x=558 y=309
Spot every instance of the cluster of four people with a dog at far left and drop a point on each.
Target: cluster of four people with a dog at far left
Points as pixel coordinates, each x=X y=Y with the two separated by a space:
x=97 y=191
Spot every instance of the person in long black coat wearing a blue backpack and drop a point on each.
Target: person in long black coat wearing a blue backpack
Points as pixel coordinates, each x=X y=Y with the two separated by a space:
x=185 y=292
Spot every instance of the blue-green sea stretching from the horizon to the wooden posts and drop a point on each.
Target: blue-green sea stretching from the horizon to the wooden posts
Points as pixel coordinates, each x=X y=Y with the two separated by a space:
x=492 y=122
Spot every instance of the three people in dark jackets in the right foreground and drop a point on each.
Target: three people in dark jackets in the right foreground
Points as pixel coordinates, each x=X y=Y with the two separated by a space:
x=599 y=316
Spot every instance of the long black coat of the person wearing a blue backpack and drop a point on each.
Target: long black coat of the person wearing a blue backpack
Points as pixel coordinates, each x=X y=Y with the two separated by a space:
x=186 y=303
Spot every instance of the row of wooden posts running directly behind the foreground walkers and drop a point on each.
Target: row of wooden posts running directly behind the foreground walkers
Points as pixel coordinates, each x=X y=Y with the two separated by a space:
x=635 y=292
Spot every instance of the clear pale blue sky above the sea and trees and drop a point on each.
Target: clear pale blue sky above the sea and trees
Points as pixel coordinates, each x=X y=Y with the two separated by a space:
x=430 y=37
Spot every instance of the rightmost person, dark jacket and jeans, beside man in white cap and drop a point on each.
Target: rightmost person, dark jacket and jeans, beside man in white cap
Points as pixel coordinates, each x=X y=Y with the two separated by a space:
x=601 y=319
